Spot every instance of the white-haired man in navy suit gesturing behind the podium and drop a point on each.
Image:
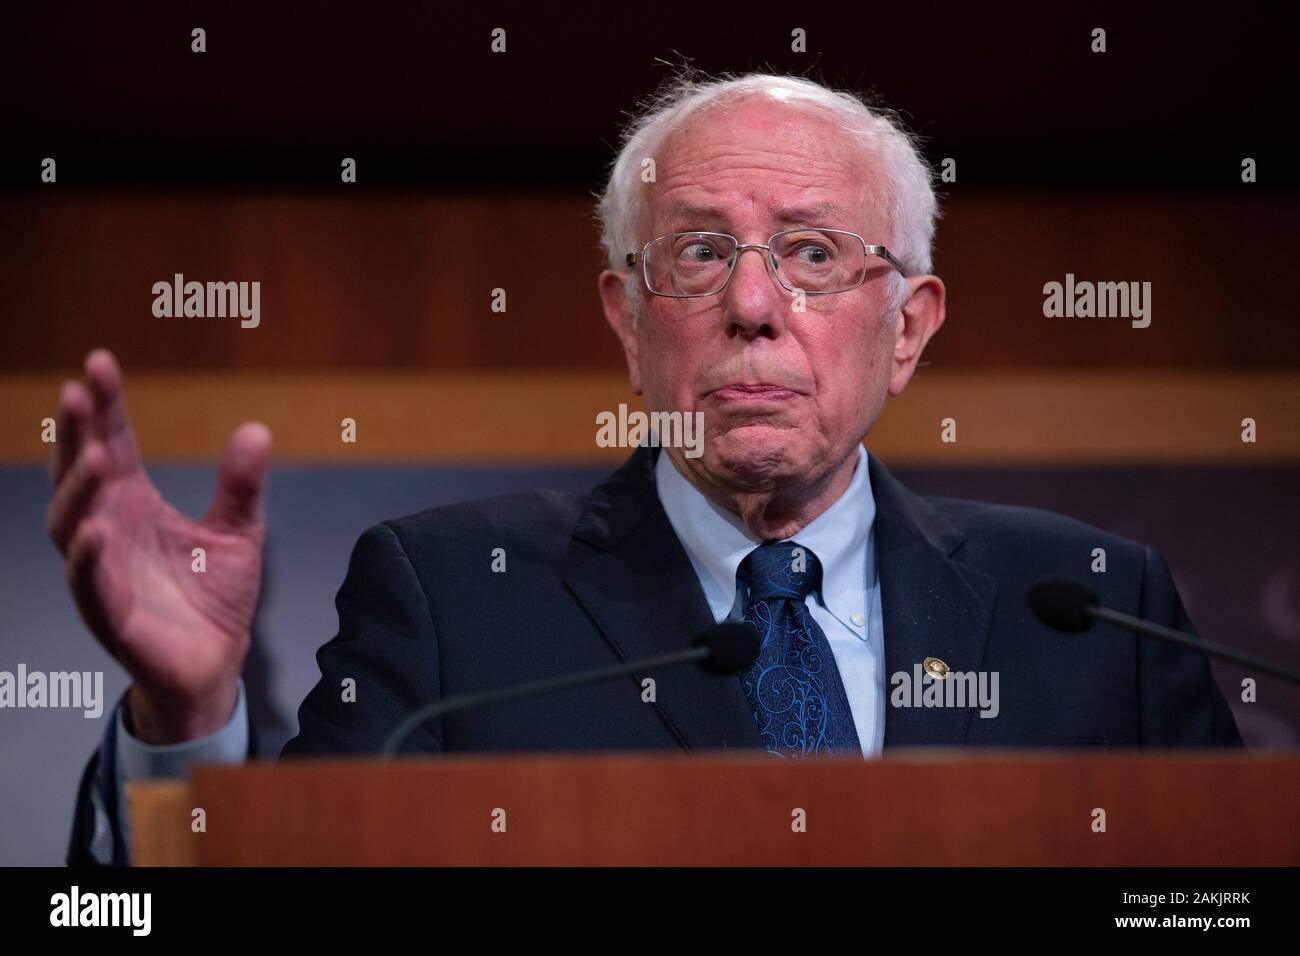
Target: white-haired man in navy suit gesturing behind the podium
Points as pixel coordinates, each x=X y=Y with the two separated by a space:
x=769 y=245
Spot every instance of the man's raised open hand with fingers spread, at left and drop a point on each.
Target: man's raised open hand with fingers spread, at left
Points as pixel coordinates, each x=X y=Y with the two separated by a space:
x=181 y=635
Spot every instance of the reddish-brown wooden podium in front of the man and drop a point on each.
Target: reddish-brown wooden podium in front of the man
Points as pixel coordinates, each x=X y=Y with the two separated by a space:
x=912 y=808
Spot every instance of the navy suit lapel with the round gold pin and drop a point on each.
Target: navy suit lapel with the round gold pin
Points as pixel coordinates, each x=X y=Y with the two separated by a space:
x=933 y=607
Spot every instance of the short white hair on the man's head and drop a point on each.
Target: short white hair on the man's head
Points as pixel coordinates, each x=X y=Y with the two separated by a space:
x=909 y=200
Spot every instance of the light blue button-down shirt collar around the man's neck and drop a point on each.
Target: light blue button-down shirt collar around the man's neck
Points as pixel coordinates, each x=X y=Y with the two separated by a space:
x=717 y=542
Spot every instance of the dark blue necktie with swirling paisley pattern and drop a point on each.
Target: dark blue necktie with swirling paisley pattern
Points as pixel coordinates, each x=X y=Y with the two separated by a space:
x=794 y=687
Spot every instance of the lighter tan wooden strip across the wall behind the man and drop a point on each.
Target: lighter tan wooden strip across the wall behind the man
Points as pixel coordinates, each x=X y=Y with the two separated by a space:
x=1103 y=418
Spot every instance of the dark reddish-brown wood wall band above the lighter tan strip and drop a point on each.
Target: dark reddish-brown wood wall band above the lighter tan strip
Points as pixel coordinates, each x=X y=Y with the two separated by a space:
x=404 y=280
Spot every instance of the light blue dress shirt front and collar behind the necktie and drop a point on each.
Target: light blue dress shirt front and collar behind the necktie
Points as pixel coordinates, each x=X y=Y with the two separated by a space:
x=848 y=605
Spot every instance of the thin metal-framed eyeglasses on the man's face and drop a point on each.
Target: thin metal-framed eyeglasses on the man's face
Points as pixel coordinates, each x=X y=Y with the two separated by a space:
x=814 y=262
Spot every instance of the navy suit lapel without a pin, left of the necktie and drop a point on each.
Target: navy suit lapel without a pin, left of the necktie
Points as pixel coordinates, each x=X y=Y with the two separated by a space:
x=627 y=568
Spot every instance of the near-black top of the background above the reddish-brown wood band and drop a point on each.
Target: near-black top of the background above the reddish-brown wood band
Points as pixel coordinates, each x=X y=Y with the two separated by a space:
x=1012 y=89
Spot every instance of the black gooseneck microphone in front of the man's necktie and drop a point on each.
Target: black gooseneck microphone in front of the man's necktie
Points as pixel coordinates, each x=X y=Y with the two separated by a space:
x=725 y=648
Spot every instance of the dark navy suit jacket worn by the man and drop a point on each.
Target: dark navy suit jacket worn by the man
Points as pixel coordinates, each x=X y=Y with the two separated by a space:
x=599 y=579
